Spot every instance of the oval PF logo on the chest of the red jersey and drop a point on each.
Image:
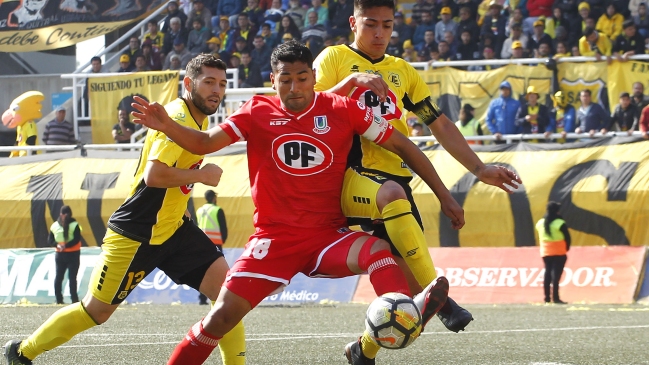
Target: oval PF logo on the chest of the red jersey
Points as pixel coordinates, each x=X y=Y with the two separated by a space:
x=301 y=154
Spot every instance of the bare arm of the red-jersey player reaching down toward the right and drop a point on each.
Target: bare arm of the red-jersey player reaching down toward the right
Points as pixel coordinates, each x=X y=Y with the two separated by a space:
x=420 y=164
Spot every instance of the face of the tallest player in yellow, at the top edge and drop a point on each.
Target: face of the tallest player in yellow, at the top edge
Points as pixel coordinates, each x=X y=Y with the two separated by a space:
x=372 y=29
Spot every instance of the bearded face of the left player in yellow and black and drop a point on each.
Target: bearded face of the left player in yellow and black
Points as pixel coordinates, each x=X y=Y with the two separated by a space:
x=207 y=90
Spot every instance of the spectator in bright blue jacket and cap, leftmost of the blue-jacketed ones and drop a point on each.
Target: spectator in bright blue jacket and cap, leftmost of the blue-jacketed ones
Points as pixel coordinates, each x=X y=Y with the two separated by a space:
x=501 y=114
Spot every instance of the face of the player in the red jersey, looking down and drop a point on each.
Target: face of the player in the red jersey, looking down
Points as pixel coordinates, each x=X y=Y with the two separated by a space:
x=294 y=83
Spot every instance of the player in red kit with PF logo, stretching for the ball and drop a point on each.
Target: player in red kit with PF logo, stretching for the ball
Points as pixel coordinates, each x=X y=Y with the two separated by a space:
x=298 y=144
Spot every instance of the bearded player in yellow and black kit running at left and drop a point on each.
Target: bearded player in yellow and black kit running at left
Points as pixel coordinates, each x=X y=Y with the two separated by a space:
x=150 y=229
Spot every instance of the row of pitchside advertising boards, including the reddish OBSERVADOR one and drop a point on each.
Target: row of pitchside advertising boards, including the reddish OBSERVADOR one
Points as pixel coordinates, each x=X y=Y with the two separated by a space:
x=476 y=275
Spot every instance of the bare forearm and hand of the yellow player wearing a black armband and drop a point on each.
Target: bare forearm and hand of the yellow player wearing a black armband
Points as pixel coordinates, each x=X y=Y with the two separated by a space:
x=453 y=141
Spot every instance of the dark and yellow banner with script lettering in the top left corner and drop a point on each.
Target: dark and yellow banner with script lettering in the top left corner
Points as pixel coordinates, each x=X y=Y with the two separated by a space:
x=27 y=26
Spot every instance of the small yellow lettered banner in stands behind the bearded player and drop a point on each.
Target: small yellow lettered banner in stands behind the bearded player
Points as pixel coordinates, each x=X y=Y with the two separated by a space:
x=109 y=95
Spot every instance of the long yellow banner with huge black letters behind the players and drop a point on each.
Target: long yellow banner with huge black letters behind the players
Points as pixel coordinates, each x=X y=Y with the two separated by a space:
x=604 y=191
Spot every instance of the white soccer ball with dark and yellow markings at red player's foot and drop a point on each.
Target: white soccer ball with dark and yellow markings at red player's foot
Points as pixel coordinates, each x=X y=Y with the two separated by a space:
x=393 y=321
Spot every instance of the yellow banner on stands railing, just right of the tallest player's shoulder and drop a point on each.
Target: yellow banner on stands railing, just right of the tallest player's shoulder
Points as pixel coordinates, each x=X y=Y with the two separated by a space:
x=452 y=87
